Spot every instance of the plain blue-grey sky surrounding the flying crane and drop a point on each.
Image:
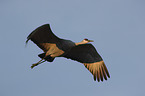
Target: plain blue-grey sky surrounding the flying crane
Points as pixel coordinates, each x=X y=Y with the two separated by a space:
x=116 y=26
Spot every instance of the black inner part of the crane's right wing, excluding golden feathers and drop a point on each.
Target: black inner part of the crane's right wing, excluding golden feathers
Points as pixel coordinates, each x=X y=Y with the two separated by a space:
x=85 y=53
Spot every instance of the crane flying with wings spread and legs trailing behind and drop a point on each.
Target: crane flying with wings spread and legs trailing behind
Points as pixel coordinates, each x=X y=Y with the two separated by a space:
x=83 y=52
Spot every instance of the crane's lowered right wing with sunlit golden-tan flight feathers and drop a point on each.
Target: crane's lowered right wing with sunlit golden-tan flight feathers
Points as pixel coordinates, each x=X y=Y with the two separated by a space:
x=87 y=54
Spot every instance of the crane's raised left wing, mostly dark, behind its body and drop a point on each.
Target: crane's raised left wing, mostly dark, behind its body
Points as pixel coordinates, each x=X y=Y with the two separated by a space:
x=43 y=37
